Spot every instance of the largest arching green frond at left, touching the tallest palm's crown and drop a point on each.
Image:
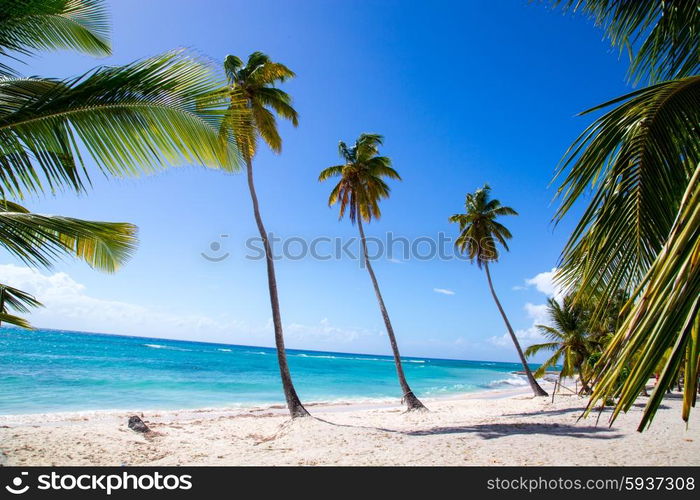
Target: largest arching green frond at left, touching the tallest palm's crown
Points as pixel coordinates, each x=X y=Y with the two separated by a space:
x=130 y=119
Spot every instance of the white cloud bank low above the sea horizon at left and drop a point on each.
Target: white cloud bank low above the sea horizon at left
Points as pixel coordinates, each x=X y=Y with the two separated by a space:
x=67 y=305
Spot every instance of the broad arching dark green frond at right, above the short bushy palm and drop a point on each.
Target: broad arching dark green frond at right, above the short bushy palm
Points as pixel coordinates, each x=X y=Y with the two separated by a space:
x=637 y=160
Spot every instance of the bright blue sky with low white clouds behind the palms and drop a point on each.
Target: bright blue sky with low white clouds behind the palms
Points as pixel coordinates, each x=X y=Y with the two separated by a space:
x=464 y=93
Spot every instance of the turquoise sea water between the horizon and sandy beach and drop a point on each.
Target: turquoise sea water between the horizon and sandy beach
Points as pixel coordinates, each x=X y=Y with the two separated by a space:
x=52 y=370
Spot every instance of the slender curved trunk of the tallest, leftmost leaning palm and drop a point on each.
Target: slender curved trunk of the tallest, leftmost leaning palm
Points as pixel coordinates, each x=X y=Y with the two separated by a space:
x=296 y=409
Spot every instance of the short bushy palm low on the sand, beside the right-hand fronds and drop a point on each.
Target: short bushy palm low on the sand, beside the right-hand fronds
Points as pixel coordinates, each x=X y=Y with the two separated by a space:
x=568 y=338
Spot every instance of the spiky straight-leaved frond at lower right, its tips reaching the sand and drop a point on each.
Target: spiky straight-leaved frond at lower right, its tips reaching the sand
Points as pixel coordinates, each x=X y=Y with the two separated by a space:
x=665 y=316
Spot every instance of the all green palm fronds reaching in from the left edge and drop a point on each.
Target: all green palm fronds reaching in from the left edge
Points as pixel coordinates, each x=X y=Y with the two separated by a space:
x=130 y=119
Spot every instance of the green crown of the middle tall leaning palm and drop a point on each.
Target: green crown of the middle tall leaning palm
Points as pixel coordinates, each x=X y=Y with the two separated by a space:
x=361 y=185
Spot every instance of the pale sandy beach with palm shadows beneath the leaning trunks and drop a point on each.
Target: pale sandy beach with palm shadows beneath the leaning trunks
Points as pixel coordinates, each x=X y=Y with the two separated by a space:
x=494 y=428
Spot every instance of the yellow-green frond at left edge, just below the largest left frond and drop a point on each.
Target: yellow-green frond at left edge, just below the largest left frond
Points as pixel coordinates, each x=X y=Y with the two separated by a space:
x=38 y=240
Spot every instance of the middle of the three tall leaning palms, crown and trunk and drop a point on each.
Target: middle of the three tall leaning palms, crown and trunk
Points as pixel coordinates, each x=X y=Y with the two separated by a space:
x=359 y=190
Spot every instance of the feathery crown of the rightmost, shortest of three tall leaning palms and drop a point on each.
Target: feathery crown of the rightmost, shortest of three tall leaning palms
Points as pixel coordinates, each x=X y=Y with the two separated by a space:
x=479 y=230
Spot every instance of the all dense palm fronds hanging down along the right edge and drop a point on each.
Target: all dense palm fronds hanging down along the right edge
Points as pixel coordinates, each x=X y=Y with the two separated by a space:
x=641 y=230
